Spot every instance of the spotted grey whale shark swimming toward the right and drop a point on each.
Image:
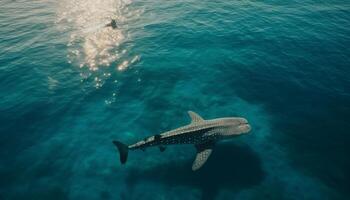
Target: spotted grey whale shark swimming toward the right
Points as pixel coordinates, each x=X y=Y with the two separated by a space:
x=203 y=134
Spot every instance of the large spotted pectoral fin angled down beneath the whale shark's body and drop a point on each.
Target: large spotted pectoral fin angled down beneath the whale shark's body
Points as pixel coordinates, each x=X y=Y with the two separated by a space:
x=203 y=153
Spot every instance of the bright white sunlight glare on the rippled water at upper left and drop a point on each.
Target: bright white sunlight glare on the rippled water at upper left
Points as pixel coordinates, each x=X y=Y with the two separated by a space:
x=98 y=50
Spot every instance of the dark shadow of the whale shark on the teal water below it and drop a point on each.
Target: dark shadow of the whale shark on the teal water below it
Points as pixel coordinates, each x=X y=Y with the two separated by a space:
x=232 y=167
